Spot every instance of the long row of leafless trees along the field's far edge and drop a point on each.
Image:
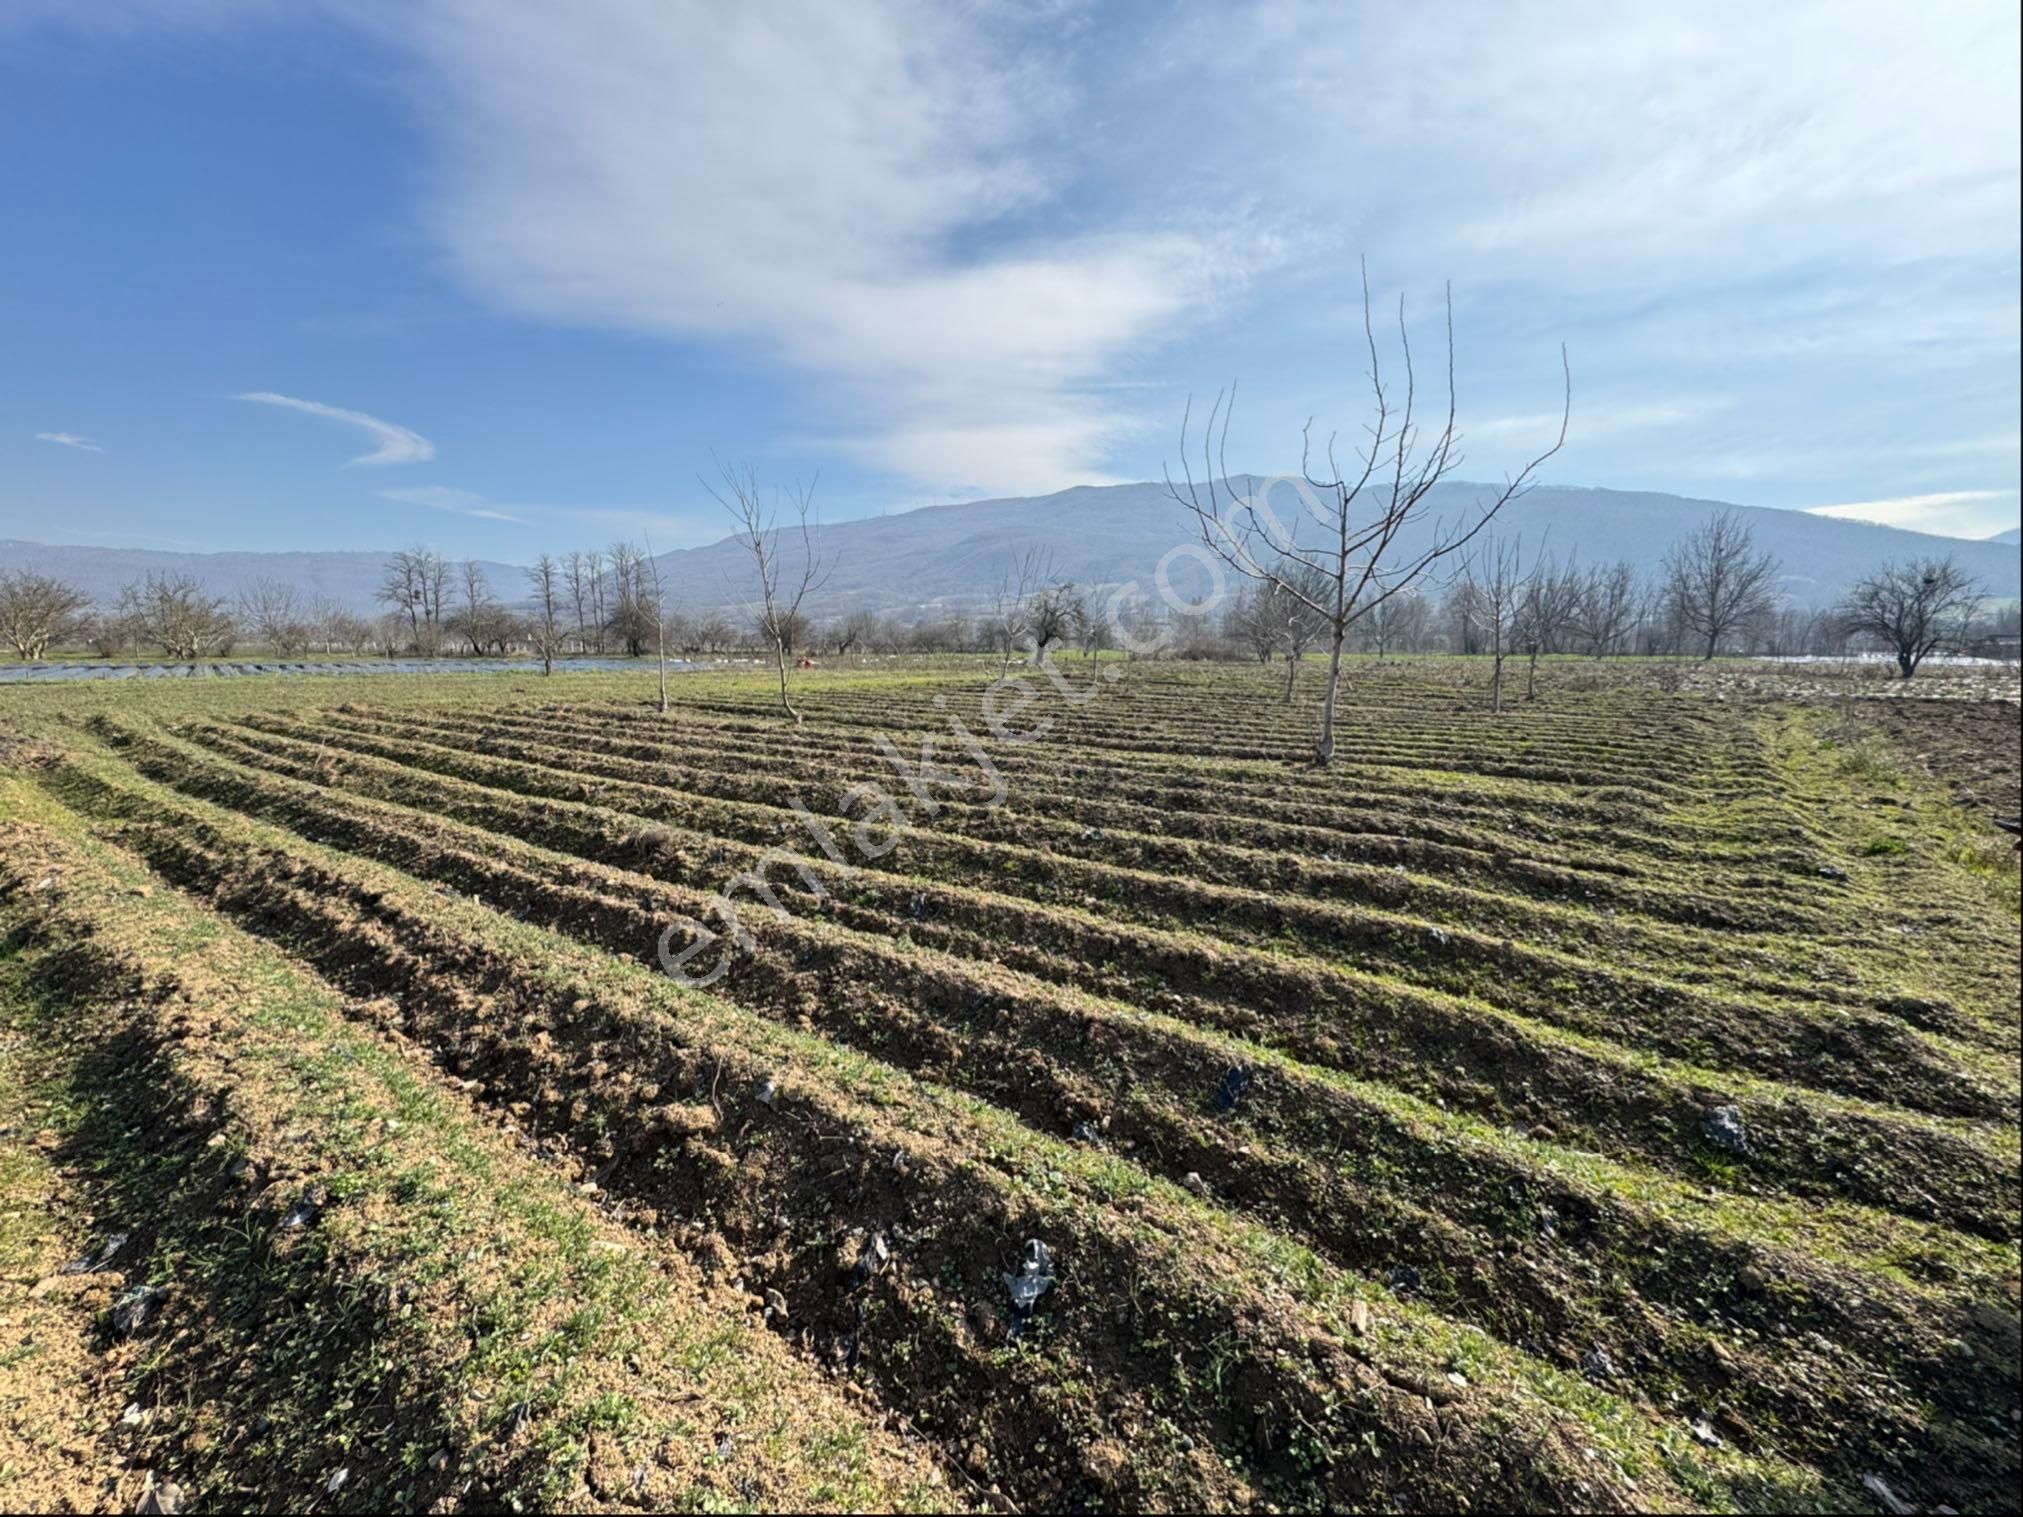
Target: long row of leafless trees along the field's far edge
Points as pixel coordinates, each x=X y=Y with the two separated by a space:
x=1510 y=602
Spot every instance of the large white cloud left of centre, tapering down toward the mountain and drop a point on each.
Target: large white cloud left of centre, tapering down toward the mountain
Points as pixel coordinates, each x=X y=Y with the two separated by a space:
x=857 y=189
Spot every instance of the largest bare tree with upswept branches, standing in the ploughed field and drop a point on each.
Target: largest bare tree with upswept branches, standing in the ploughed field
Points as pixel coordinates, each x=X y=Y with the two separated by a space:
x=1371 y=517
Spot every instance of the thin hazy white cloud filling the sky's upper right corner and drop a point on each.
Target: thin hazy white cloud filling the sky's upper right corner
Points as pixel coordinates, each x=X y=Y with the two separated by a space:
x=1589 y=141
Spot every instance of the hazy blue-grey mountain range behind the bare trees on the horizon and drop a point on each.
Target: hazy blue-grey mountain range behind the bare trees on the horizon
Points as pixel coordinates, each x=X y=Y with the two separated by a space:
x=950 y=557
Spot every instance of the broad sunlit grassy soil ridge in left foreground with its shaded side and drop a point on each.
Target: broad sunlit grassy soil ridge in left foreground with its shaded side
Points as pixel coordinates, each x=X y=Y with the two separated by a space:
x=452 y=1324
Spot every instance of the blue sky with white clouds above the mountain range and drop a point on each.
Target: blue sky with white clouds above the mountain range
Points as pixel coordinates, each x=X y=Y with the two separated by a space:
x=507 y=276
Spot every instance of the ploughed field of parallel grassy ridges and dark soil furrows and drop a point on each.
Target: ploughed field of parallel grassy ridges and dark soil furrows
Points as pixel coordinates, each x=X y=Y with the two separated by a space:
x=1603 y=1105
